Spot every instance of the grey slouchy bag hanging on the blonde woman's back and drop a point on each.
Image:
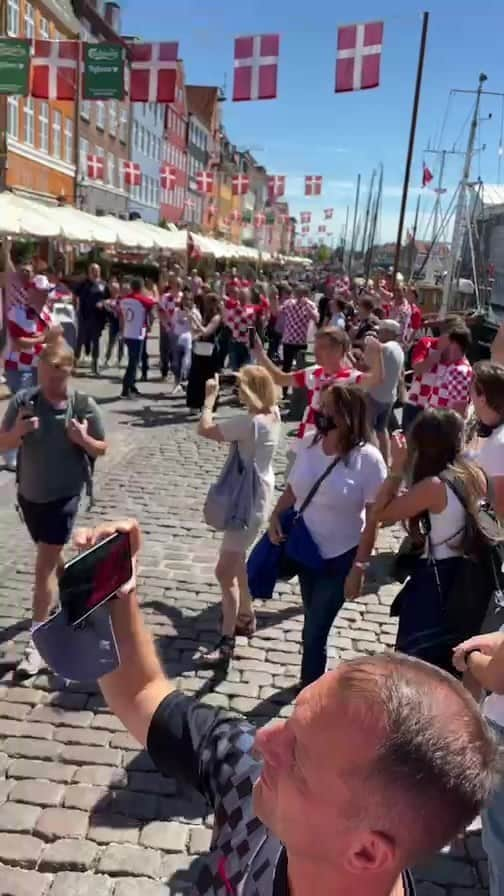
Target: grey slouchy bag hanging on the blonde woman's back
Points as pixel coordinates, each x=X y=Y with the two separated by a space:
x=230 y=502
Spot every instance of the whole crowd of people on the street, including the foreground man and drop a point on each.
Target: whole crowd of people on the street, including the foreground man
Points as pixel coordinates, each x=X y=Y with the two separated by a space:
x=397 y=427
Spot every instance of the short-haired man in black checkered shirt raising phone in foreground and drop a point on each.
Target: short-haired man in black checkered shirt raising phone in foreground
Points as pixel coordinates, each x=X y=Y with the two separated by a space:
x=383 y=761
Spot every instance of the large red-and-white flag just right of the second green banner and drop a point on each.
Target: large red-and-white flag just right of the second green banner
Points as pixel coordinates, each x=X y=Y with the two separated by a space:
x=153 y=72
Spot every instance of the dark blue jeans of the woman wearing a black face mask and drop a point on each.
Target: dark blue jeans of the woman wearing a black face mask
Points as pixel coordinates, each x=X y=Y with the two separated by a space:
x=323 y=596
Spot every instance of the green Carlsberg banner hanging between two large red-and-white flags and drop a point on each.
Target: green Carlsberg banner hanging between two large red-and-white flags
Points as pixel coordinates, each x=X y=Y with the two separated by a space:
x=103 y=76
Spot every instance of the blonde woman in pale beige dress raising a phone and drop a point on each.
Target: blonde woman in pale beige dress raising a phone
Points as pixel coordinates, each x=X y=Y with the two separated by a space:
x=257 y=433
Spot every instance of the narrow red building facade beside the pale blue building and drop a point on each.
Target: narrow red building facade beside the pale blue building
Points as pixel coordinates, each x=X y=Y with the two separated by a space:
x=175 y=153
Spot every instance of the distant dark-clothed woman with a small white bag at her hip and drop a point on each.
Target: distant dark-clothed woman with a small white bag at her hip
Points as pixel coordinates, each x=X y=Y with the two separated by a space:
x=205 y=354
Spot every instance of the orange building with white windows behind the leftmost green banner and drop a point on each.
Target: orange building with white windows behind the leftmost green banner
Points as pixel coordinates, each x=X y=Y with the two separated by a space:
x=39 y=149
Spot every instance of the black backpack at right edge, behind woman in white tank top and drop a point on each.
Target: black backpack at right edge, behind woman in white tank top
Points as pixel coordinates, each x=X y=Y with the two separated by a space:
x=480 y=579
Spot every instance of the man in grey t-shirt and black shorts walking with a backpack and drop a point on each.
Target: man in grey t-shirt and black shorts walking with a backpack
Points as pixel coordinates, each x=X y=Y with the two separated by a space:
x=57 y=433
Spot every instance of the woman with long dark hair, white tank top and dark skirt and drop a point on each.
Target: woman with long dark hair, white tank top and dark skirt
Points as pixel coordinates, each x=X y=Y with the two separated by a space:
x=435 y=520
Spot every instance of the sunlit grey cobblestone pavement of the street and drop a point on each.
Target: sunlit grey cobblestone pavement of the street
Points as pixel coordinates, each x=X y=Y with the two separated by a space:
x=82 y=810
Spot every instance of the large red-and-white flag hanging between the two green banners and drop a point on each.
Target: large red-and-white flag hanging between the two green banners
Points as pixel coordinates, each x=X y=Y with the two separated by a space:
x=54 y=69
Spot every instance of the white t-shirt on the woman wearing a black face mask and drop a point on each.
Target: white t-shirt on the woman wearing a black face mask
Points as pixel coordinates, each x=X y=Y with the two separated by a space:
x=336 y=515
